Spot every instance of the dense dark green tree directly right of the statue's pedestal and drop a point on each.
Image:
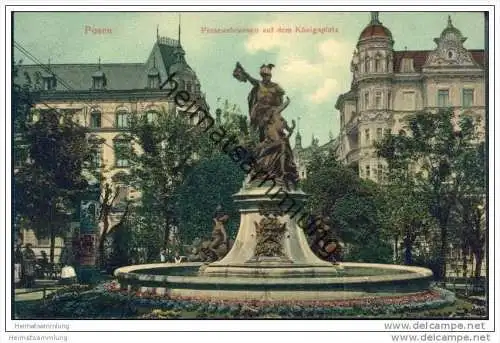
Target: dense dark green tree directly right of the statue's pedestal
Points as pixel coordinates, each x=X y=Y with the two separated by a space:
x=336 y=191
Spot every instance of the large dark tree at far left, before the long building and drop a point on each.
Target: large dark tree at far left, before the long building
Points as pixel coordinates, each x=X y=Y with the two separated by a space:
x=48 y=184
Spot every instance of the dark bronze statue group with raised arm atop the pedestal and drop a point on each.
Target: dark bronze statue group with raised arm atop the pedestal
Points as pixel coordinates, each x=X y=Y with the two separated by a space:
x=273 y=153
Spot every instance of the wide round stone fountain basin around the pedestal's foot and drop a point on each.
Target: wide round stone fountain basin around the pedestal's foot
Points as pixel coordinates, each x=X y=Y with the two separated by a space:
x=353 y=280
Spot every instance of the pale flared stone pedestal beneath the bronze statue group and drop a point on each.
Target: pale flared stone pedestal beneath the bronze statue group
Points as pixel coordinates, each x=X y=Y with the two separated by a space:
x=270 y=243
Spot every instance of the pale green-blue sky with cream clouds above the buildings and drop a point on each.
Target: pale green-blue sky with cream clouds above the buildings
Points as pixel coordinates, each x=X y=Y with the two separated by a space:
x=313 y=69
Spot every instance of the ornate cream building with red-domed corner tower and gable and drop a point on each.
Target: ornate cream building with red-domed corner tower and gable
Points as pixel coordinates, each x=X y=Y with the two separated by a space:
x=387 y=85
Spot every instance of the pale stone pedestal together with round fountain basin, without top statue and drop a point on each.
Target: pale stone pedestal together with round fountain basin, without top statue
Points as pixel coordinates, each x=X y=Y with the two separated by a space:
x=271 y=261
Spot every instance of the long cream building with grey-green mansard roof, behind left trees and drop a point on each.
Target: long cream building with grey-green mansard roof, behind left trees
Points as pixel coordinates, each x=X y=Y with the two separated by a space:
x=101 y=96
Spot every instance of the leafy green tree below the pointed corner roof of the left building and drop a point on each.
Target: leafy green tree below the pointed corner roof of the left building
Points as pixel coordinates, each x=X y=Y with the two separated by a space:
x=166 y=149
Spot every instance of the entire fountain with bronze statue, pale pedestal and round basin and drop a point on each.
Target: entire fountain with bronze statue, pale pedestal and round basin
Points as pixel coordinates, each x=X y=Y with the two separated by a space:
x=270 y=259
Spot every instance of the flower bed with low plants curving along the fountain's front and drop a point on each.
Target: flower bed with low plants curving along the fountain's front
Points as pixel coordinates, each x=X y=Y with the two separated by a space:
x=108 y=301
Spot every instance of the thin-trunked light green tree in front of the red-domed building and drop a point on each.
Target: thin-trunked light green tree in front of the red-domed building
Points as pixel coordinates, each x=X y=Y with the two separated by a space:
x=431 y=157
